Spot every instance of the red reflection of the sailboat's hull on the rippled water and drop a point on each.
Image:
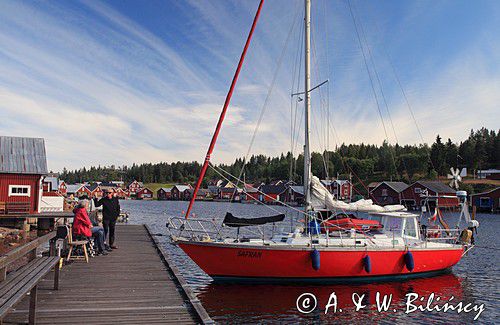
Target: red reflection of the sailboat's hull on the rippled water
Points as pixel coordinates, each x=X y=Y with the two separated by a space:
x=263 y=302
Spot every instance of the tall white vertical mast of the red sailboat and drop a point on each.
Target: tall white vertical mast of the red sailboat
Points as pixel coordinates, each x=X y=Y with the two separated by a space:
x=307 y=102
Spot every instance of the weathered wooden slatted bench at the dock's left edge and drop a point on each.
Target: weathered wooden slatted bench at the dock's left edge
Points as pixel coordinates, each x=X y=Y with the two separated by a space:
x=15 y=285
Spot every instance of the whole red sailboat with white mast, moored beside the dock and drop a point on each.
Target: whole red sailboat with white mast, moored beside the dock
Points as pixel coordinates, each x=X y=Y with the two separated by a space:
x=389 y=242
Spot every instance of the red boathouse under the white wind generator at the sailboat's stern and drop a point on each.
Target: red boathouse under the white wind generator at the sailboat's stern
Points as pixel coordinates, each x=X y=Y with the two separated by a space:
x=435 y=192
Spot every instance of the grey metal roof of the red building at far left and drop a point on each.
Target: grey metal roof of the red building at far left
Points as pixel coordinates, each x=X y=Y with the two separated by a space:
x=22 y=155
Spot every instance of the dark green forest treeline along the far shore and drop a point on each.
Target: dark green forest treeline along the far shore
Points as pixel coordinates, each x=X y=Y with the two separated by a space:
x=362 y=162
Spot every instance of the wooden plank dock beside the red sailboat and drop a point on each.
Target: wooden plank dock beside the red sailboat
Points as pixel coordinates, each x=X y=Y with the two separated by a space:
x=135 y=284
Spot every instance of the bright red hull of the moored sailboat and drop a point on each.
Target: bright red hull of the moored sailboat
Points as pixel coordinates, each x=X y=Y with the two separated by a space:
x=257 y=262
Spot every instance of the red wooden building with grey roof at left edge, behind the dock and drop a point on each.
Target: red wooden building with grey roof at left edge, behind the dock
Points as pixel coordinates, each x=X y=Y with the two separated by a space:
x=23 y=162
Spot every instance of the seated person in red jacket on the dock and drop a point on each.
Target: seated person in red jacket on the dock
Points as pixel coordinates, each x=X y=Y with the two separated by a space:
x=82 y=226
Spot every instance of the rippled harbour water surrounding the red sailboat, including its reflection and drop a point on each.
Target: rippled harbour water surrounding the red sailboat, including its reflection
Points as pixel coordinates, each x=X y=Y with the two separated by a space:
x=474 y=279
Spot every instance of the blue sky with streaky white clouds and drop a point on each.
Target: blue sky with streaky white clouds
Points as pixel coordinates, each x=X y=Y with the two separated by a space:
x=122 y=82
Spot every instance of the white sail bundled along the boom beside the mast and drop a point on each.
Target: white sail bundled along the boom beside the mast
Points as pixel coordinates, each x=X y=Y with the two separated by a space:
x=321 y=198
